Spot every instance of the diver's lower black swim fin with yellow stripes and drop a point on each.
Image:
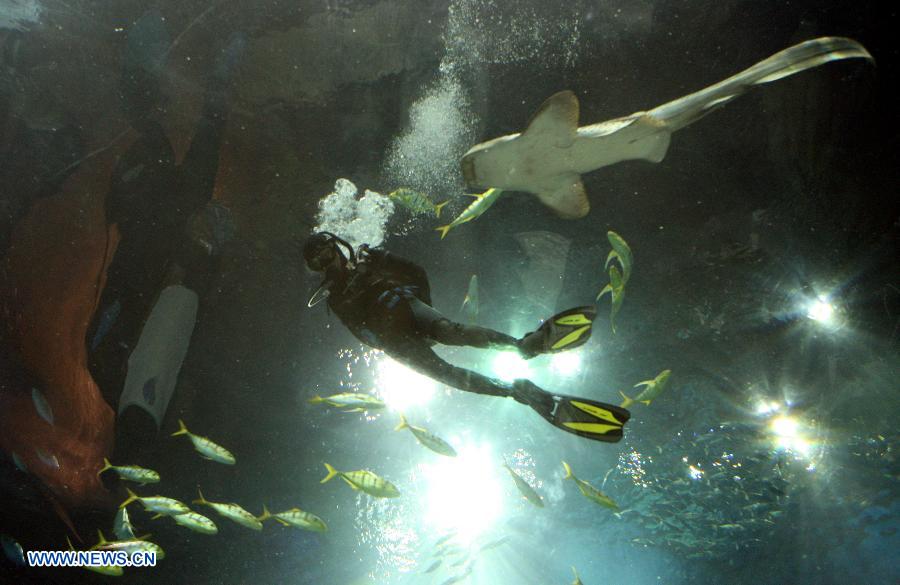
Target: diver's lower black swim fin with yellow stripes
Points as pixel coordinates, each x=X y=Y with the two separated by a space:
x=580 y=416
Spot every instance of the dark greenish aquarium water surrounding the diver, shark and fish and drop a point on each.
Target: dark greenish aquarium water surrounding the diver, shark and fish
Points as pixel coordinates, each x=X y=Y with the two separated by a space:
x=770 y=458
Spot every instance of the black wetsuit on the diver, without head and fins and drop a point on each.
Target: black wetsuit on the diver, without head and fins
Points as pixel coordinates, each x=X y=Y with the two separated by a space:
x=385 y=301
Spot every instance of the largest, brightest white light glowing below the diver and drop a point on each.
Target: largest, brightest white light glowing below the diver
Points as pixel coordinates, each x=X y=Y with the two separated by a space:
x=464 y=493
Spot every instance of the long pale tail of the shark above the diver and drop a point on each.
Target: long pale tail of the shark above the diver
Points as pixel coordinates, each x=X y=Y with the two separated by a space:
x=690 y=108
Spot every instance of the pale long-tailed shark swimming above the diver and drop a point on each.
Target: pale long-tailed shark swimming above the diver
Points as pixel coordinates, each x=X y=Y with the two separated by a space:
x=549 y=157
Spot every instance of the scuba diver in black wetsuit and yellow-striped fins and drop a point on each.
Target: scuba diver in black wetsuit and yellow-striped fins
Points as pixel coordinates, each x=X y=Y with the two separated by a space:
x=385 y=301
